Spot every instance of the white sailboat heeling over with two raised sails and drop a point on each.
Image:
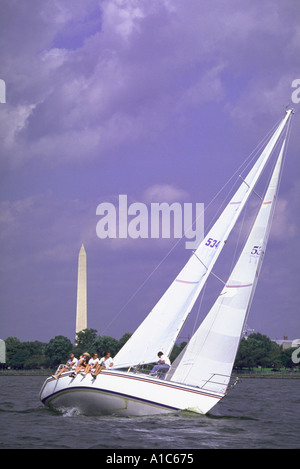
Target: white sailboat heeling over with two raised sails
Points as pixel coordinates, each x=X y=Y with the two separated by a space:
x=201 y=376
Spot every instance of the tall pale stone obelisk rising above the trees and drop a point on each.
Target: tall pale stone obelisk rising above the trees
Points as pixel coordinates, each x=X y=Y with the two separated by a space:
x=81 y=311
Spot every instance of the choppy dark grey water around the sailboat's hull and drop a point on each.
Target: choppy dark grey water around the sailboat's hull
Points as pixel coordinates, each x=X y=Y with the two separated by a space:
x=257 y=413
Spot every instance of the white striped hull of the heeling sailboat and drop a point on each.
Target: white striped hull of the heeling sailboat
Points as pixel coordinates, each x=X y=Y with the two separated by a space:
x=123 y=393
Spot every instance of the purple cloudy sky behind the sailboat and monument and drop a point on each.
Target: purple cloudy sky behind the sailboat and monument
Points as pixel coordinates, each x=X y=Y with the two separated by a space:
x=157 y=100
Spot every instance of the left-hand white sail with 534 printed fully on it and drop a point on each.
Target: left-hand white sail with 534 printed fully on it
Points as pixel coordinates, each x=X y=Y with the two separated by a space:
x=161 y=327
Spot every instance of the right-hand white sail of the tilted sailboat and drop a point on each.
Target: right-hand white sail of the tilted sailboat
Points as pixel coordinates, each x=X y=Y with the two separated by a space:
x=210 y=354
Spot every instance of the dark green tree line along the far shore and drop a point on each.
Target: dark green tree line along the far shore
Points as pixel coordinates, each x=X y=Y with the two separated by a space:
x=257 y=354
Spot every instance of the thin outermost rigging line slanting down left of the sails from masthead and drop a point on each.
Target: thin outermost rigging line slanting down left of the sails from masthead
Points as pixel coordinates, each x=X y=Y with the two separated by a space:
x=181 y=239
